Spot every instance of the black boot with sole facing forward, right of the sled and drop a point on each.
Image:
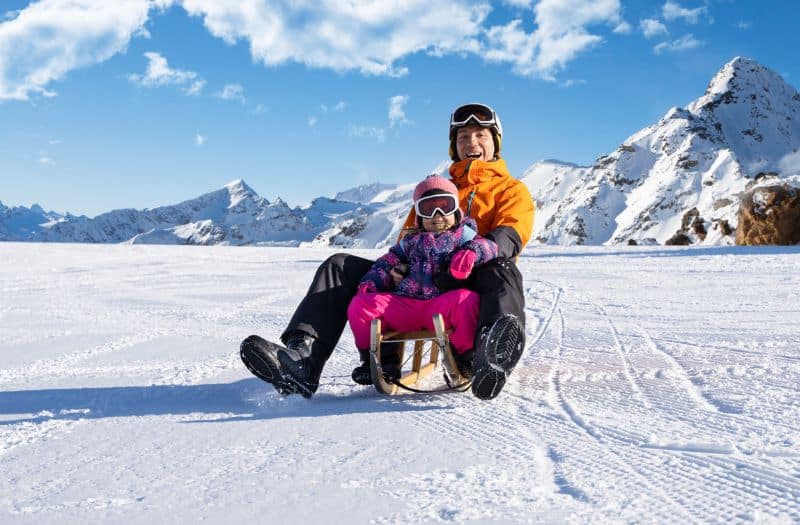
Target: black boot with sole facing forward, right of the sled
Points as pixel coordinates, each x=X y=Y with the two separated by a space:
x=498 y=351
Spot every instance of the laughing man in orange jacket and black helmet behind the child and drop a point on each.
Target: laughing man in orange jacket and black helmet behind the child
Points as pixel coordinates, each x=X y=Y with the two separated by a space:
x=503 y=209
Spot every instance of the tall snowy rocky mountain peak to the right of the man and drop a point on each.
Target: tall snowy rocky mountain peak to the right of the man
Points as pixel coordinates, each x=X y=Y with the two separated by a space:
x=679 y=180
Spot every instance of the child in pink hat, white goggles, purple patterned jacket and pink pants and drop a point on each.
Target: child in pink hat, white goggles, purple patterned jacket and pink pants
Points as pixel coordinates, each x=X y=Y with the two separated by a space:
x=400 y=288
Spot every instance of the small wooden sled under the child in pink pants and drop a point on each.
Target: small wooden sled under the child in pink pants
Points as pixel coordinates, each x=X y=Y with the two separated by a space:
x=438 y=345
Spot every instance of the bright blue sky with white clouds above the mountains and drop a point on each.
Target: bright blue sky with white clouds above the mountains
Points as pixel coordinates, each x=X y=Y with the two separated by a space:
x=141 y=103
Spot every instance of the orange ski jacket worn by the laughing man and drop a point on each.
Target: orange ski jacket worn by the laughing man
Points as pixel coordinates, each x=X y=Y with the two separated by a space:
x=500 y=204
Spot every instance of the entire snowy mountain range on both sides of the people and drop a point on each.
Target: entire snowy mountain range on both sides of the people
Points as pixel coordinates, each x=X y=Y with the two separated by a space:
x=677 y=180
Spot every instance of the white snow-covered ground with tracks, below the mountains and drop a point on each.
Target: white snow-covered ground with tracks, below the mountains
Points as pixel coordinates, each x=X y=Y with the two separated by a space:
x=659 y=385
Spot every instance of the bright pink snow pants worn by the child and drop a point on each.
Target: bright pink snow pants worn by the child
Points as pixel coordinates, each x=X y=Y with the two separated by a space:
x=459 y=308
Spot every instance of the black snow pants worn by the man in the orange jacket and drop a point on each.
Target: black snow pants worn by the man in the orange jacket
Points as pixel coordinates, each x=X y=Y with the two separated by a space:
x=323 y=311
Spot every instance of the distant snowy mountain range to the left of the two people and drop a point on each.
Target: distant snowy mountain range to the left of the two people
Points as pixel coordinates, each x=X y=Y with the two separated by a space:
x=233 y=215
